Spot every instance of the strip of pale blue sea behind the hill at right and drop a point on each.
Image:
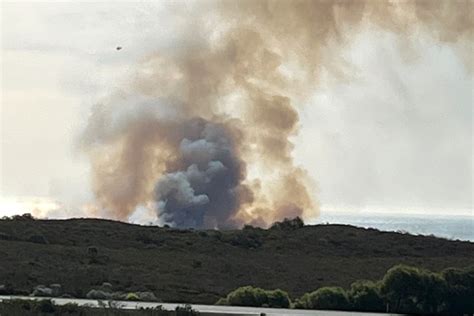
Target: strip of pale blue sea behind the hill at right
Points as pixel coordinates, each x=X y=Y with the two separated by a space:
x=452 y=227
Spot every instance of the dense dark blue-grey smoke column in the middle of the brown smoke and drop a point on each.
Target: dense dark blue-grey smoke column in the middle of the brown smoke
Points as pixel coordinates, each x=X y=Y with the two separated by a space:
x=202 y=191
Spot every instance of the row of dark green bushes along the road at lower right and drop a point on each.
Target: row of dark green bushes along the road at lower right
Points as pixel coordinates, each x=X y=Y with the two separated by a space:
x=403 y=289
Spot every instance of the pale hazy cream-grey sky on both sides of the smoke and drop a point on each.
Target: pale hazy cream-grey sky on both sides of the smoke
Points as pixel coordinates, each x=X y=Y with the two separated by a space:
x=397 y=137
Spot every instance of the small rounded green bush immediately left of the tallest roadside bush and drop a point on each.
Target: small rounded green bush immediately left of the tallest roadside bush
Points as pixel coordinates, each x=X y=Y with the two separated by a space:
x=365 y=296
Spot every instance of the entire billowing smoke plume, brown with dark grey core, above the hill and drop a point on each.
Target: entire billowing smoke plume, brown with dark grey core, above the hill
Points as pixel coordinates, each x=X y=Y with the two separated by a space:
x=203 y=133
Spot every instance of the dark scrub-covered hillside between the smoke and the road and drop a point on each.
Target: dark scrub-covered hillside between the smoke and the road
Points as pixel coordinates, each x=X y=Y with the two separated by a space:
x=200 y=267
